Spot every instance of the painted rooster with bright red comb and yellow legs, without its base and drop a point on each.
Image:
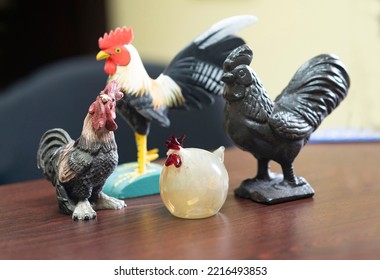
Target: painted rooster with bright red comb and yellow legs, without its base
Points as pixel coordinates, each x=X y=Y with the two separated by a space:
x=190 y=80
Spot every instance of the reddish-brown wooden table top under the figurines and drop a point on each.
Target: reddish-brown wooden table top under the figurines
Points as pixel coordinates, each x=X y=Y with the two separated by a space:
x=341 y=221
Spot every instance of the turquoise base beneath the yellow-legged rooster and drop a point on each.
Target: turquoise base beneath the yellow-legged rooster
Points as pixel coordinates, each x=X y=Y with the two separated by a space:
x=125 y=182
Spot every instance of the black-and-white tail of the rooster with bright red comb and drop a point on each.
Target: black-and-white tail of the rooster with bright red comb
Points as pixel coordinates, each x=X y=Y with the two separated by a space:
x=197 y=69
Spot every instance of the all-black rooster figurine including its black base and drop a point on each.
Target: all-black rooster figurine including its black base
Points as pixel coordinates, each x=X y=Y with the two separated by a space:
x=278 y=130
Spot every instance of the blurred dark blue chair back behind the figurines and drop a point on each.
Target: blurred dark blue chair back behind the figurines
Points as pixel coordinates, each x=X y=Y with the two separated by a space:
x=59 y=96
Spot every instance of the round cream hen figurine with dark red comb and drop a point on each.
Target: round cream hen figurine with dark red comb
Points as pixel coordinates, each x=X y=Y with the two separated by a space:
x=193 y=182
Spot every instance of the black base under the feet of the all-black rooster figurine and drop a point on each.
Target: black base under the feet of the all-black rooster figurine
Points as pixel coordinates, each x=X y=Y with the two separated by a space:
x=273 y=191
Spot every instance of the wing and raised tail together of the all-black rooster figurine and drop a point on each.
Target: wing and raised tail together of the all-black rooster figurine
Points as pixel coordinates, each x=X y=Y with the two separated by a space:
x=315 y=90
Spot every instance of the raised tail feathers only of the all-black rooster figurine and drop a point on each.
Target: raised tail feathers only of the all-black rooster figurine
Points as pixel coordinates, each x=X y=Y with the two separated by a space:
x=319 y=86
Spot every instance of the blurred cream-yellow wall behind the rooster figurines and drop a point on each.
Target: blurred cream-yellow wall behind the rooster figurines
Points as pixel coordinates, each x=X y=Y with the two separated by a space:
x=286 y=35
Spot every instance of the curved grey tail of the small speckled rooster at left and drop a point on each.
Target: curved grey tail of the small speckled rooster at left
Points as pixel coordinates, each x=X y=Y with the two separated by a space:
x=47 y=155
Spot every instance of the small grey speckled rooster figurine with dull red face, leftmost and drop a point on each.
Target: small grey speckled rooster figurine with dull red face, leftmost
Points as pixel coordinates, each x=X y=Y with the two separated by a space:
x=78 y=169
